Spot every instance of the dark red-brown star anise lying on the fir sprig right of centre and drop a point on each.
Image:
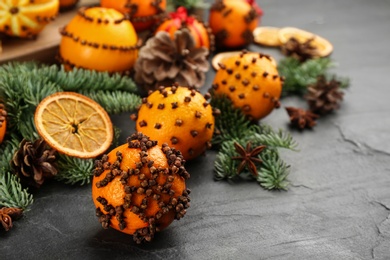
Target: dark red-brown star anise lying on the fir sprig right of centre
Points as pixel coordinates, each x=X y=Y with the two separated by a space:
x=248 y=157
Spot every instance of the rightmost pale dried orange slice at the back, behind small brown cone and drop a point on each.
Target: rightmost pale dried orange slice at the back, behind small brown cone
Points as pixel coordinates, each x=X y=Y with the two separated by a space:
x=324 y=47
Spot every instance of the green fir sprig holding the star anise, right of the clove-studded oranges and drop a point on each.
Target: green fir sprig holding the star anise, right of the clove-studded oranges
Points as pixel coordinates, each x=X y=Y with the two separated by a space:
x=273 y=171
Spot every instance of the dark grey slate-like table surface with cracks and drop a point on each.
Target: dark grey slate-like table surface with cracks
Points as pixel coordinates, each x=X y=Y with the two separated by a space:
x=338 y=204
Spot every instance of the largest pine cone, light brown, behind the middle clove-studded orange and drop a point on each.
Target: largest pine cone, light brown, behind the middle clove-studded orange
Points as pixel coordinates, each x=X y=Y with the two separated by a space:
x=163 y=61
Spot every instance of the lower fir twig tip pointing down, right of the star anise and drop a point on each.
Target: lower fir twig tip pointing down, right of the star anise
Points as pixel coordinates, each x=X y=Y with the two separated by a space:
x=273 y=171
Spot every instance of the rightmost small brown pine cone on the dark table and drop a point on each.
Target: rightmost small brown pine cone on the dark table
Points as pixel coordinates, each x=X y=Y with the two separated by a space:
x=324 y=97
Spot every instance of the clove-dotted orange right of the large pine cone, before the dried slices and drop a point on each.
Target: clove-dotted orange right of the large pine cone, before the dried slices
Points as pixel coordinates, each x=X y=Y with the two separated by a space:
x=251 y=81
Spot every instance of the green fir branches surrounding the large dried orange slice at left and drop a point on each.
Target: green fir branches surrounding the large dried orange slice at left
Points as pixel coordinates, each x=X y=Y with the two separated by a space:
x=23 y=86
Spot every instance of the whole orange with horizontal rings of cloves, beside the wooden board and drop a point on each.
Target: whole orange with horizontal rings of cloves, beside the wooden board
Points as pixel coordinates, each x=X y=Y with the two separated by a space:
x=99 y=39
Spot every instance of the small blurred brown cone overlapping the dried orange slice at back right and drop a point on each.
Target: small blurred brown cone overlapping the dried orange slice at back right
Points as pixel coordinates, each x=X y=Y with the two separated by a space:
x=298 y=50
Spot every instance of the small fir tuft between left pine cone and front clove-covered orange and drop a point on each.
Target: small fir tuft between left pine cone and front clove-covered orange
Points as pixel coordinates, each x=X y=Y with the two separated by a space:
x=74 y=170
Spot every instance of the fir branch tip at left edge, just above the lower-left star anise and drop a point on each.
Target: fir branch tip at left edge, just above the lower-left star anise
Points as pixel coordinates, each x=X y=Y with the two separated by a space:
x=12 y=195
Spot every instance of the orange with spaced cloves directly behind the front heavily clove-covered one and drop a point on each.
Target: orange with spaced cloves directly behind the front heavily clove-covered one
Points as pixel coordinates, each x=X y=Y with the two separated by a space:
x=178 y=116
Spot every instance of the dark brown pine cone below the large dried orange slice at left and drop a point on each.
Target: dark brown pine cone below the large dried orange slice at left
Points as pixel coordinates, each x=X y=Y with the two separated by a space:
x=33 y=162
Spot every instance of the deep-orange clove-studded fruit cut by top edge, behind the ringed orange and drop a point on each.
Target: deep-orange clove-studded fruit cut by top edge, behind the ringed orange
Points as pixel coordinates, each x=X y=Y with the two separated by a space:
x=143 y=13
